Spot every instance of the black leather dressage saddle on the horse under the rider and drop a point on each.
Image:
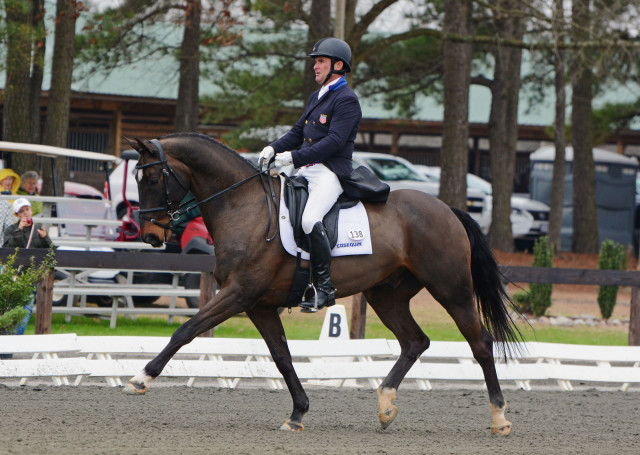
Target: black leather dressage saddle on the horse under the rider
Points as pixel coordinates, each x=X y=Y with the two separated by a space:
x=361 y=185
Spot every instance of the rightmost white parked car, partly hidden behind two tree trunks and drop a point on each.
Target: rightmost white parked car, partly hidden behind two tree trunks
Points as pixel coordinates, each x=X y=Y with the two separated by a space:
x=529 y=218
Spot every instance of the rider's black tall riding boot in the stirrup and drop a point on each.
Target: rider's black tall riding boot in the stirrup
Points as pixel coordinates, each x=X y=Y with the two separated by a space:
x=320 y=256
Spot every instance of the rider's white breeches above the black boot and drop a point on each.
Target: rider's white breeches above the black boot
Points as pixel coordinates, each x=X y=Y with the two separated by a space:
x=324 y=190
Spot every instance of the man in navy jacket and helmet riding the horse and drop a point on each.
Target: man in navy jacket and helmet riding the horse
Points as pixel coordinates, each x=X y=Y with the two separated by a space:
x=322 y=146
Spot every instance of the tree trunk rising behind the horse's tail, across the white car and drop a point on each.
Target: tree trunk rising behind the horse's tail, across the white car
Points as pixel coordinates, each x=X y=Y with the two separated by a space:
x=503 y=130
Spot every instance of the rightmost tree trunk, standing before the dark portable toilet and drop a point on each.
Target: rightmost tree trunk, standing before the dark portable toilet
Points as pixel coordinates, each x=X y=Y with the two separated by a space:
x=585 y=217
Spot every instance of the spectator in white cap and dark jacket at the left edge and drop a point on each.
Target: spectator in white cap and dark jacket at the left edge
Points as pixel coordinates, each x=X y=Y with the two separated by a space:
x=25 y=234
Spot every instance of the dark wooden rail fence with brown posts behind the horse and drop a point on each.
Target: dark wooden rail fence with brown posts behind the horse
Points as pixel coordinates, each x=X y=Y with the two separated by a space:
x=205 y=264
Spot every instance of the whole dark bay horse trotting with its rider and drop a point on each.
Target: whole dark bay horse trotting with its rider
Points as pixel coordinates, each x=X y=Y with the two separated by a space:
x=418 y=242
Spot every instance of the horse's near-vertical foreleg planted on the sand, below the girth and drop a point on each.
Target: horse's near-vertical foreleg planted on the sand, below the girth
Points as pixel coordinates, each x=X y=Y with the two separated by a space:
x=268 y=323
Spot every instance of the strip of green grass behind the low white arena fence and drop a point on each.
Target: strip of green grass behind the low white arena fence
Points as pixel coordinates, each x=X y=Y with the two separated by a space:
x=306 y=326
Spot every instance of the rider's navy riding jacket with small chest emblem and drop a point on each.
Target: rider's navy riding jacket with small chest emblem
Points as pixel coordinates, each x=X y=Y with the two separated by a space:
x=326 y=131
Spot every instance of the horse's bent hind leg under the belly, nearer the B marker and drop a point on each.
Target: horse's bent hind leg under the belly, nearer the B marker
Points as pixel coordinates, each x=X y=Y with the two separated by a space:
x=392 y=306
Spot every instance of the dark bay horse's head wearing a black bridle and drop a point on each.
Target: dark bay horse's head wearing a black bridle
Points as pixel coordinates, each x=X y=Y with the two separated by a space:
x=163 y=182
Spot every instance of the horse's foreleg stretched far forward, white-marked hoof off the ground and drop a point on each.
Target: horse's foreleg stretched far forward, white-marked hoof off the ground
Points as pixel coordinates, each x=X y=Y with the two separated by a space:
x=220 y=308
